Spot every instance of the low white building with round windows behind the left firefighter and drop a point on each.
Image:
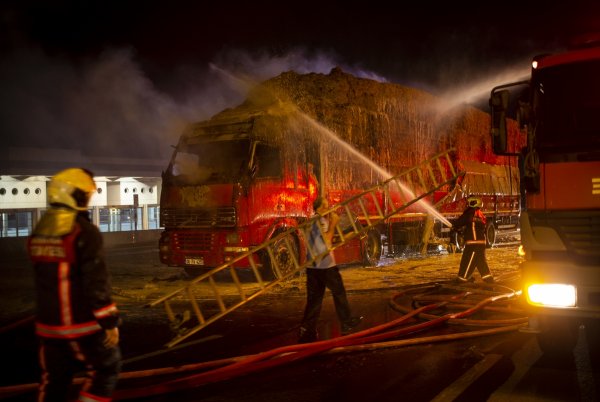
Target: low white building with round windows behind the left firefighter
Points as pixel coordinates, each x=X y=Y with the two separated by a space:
x=127 y=196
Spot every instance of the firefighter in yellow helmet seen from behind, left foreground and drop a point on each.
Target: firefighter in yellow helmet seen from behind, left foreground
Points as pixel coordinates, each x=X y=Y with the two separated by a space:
x=76 y=320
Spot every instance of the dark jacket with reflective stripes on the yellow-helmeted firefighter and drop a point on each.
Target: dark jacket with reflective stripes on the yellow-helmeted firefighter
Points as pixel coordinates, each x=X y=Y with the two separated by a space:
x=72 y=281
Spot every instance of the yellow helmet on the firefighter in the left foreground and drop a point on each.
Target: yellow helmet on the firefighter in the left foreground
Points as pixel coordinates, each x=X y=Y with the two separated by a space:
x=72 y=187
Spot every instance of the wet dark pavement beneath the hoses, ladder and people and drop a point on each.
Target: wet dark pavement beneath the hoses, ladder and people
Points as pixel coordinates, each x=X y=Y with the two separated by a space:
x=419 y=372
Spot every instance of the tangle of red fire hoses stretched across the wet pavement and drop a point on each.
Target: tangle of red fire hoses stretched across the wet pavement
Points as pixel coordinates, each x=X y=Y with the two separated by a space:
x=424 y=305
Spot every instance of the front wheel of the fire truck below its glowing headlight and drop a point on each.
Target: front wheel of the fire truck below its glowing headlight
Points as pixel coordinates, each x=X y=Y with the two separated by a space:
x=558 y=336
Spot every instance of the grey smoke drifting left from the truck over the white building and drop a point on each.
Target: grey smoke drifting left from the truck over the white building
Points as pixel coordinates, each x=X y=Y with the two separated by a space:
x=109 y=106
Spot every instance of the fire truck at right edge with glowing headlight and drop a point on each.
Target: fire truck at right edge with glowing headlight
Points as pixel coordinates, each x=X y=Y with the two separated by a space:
x=558 y=107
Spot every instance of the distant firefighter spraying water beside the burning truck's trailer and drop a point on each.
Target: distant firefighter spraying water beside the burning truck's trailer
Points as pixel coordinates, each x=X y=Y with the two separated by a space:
x=473 y=220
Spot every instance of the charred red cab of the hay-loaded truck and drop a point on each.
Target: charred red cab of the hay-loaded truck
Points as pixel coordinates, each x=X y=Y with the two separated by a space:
x=226 y=190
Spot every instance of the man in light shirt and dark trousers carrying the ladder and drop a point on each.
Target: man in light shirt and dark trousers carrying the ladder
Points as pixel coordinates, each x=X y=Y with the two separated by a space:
x=324 y=274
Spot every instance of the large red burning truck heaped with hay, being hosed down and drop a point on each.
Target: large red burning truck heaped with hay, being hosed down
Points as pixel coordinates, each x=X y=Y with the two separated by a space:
x=250 y=173
